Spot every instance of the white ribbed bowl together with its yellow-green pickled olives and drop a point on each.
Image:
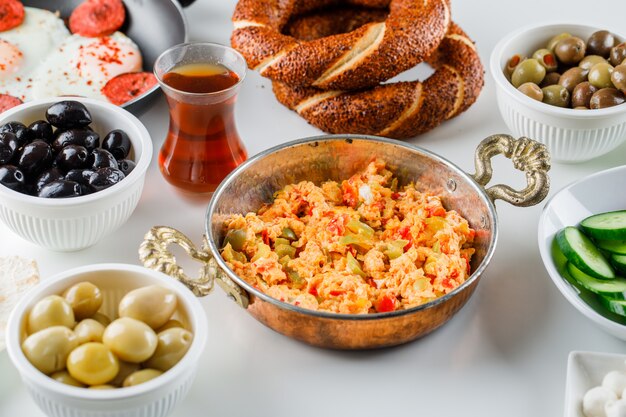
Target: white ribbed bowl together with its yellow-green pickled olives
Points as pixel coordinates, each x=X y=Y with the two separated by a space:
x=119 y=340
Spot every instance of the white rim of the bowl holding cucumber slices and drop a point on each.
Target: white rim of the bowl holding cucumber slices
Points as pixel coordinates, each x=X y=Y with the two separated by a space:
x=564 y=287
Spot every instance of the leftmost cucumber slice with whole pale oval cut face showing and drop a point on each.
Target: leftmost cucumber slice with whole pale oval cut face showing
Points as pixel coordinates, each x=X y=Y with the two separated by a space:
x=580 y=251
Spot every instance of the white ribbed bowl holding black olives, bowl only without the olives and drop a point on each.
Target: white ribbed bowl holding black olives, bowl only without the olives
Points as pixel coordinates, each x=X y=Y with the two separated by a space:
x=70 y=224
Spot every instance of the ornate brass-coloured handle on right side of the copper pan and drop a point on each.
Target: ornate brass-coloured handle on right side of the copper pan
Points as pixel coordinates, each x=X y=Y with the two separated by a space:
x=527 y=155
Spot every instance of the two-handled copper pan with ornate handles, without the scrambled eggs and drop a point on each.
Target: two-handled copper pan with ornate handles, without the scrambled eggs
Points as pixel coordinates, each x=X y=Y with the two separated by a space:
x=337 y=157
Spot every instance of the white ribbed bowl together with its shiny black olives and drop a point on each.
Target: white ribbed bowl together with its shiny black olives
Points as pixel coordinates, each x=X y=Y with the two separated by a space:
x=71 y=170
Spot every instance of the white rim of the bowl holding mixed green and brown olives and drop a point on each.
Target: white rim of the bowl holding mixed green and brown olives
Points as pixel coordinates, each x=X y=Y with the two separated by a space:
x=498 y=73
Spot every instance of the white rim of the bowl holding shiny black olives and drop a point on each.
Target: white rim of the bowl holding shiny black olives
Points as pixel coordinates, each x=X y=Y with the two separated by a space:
x=142 y=138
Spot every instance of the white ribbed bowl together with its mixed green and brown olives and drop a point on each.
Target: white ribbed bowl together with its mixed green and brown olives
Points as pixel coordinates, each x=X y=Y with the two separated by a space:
x=563 y=85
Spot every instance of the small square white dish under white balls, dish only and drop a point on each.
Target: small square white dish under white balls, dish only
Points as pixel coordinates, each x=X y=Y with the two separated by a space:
x=586 y=370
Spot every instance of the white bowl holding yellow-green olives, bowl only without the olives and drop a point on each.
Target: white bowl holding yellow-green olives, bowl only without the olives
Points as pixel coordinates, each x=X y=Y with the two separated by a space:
x=154 y=398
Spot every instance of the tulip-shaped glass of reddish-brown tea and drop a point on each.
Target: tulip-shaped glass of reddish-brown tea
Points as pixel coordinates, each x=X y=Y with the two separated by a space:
x=200 y=82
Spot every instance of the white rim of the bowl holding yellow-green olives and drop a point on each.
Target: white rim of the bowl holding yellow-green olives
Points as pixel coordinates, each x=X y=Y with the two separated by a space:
x=197 y=318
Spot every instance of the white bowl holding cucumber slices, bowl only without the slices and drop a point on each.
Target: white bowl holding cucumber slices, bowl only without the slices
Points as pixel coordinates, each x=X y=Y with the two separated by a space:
x=594 y=194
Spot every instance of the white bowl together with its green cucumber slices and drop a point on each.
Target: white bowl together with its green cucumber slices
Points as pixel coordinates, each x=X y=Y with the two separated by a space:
x=582 y=242
